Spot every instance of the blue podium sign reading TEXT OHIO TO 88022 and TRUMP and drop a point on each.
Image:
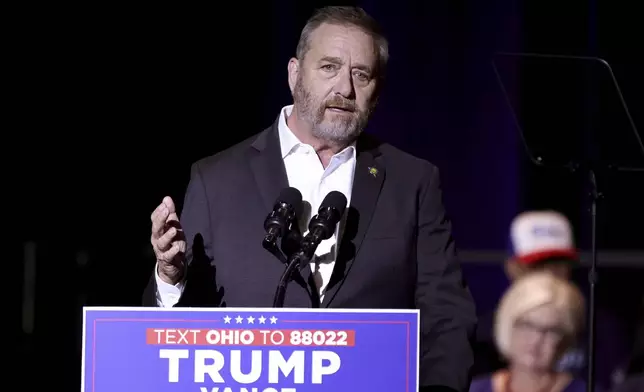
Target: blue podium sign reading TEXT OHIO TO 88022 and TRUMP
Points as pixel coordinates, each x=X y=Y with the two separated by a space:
x=249 y=350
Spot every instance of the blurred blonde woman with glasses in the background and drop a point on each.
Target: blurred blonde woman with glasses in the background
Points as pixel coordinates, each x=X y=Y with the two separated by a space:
x=538 y=319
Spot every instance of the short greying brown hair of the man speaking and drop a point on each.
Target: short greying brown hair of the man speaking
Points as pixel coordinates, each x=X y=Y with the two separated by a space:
x=346 y=16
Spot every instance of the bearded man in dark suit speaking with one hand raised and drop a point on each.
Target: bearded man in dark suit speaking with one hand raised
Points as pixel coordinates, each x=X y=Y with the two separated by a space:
x=392 y=249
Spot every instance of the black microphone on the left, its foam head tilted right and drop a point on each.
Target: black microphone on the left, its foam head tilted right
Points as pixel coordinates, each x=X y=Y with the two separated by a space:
x=282 y=217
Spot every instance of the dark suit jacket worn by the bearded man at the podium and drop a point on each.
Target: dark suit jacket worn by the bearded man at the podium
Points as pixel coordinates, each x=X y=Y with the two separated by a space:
x=396 y=252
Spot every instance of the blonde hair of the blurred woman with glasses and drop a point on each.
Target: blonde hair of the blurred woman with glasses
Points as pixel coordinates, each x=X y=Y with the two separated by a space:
x=532 y=291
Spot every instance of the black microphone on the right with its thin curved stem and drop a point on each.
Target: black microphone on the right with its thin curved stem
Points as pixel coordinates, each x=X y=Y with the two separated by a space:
x=321 y=227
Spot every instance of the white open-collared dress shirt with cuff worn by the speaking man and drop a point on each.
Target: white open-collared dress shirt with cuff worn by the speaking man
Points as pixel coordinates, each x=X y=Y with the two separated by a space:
x=306 y=173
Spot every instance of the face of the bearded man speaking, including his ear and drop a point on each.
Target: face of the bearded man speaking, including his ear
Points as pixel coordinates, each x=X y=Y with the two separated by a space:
x=334 y=85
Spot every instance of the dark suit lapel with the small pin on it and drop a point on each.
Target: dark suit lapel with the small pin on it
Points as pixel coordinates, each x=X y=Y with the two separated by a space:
x=367 y=183
